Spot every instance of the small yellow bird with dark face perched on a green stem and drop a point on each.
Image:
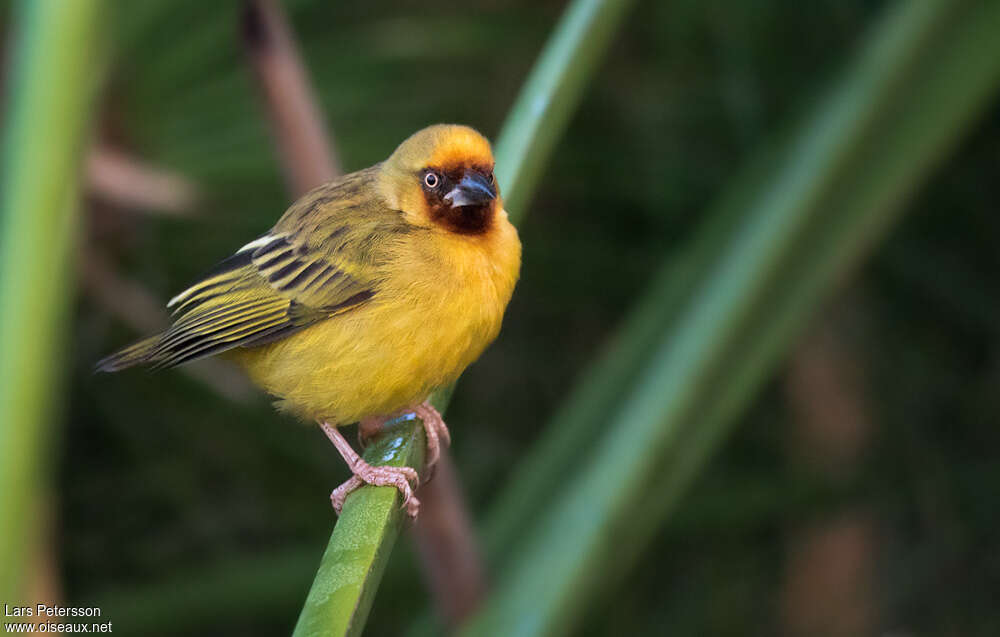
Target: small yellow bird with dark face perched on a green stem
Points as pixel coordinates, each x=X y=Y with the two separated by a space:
x=369 y=293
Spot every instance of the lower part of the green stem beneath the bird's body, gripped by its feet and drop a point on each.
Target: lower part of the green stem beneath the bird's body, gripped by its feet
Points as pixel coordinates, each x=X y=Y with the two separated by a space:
x=359 y=548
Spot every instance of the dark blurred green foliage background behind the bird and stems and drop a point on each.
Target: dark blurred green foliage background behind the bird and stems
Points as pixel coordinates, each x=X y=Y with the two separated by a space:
x=177 y=504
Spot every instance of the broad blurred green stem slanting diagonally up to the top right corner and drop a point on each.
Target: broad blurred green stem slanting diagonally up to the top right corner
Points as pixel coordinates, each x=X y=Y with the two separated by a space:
x=923 y=76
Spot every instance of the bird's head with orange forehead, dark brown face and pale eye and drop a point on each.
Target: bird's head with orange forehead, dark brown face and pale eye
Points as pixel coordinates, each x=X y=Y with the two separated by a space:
x=442 y=176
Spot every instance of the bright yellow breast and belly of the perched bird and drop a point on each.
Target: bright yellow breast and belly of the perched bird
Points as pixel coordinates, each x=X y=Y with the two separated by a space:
x=440 y=304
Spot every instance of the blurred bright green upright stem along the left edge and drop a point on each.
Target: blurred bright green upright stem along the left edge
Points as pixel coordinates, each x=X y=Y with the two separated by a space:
x=52 y=76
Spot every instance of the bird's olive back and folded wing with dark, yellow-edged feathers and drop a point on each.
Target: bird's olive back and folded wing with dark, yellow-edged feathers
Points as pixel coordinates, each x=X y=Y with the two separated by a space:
x=320 y=260
